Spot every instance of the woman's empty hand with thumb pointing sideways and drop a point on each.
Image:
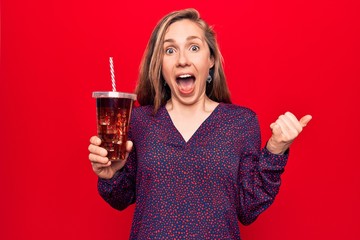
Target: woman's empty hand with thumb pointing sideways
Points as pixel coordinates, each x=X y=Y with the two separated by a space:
x=284 y=131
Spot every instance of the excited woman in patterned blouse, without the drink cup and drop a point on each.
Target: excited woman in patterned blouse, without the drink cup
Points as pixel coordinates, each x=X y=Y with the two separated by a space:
x=195 y=164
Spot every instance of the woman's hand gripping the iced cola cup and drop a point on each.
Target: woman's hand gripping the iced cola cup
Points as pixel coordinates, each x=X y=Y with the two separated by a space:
x=101 y=165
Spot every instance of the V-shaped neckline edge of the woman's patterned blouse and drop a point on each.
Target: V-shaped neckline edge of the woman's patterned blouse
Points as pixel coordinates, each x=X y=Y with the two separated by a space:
x=198 y=131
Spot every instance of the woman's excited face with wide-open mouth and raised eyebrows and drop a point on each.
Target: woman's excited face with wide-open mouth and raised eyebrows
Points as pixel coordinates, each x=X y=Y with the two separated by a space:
x=186 y=61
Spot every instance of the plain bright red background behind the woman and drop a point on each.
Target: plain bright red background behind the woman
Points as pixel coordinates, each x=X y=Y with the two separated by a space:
x=280 y=55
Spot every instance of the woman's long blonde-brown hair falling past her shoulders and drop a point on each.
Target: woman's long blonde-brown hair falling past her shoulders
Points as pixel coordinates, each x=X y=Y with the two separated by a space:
x=151 y=89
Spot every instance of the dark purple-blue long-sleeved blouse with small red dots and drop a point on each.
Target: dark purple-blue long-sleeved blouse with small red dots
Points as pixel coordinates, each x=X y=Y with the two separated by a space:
x=197 y=189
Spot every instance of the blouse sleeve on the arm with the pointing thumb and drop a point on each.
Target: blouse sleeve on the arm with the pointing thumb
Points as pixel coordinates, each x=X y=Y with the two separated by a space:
x=259 y=174
